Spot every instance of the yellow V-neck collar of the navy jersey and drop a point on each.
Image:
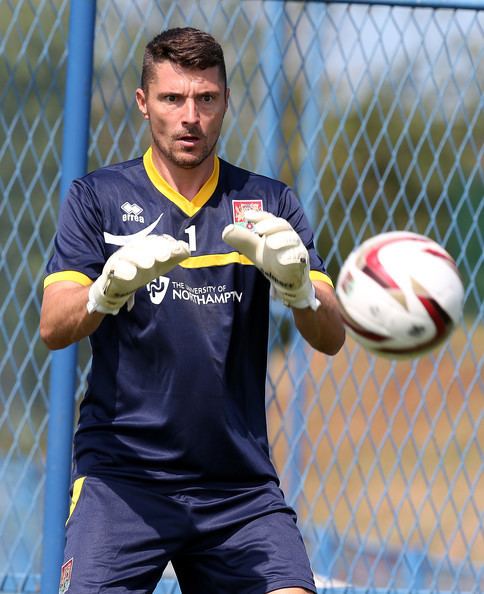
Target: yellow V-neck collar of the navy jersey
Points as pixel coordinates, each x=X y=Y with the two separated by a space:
x=189 y=207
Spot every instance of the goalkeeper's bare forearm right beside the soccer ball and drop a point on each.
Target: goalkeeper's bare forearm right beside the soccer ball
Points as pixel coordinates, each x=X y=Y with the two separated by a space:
x=323 y=329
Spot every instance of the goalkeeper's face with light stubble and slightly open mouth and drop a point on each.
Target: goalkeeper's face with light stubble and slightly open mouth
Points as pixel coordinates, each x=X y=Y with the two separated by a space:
x=185 y=109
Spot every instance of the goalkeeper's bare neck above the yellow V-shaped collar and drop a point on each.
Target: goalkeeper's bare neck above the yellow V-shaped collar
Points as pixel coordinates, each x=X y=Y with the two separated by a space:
x=186 y=181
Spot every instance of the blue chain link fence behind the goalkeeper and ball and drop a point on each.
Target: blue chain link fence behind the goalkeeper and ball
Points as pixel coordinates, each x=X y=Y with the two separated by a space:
x=375 y=115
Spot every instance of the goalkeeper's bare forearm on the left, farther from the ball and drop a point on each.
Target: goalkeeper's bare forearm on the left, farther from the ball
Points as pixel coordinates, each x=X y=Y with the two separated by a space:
x=64 y=317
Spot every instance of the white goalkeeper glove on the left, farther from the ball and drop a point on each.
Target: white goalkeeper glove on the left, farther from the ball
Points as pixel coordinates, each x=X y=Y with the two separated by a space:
x=131 y=267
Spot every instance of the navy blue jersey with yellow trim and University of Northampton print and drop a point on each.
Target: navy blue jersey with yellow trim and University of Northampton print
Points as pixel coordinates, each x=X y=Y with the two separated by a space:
x=176 y=387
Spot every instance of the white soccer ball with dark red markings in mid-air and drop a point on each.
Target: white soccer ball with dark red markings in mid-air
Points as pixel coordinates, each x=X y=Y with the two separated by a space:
x=400 y=294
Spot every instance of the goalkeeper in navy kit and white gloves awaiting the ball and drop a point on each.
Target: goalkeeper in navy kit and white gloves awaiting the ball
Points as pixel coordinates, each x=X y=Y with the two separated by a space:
x=166 y=262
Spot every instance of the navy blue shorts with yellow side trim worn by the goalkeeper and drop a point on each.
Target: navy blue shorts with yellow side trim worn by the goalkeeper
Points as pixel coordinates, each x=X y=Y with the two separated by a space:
x=120 y=536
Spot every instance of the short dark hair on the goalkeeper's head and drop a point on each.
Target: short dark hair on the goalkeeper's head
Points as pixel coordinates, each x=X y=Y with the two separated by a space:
x=187 y=47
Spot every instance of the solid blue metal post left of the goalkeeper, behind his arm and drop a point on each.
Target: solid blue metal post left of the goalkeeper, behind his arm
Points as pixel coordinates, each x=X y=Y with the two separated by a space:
x=64 y=363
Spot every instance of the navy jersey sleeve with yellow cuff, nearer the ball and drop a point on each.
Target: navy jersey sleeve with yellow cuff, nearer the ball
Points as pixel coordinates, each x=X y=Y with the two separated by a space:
x=291 y=210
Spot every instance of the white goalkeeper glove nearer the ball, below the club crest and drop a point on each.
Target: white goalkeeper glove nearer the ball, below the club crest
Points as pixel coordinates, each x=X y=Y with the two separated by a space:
x=278 y=252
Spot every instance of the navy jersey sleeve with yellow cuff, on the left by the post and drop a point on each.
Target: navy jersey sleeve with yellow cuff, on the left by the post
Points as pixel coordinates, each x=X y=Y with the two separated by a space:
x=79 y=250
